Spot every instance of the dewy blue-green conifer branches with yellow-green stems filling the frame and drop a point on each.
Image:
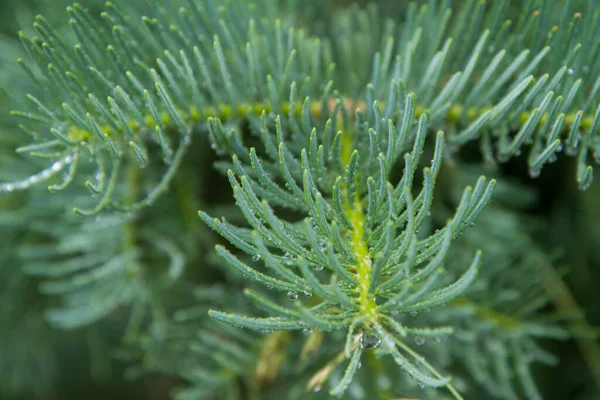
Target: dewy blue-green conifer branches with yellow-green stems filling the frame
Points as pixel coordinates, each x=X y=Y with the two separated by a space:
x=362 y=148
